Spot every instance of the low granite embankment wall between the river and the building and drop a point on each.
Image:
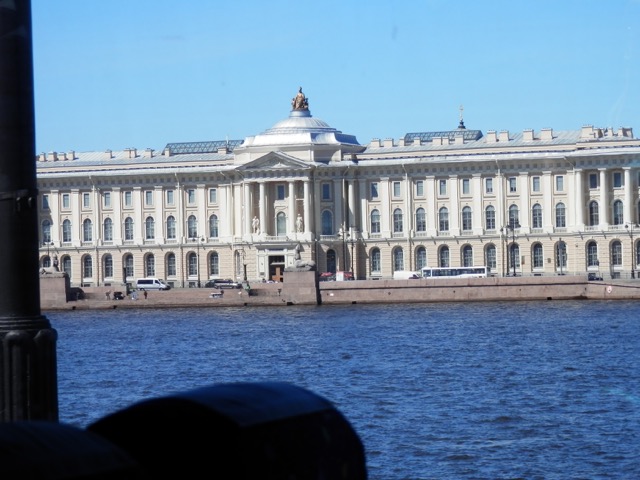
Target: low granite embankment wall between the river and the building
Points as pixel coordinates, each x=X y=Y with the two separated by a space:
x=304 y=290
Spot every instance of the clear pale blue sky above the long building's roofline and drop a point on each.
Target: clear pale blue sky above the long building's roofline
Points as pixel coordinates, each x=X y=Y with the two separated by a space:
x=143 y=73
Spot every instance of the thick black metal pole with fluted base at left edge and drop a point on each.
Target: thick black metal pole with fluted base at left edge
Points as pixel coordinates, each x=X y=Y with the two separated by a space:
x=28 y=374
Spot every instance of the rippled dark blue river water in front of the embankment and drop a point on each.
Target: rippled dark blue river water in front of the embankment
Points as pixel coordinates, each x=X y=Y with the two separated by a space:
x=496 y=390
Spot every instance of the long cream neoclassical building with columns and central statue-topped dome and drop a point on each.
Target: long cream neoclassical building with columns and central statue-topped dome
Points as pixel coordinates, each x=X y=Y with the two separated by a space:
x=523 y=203
